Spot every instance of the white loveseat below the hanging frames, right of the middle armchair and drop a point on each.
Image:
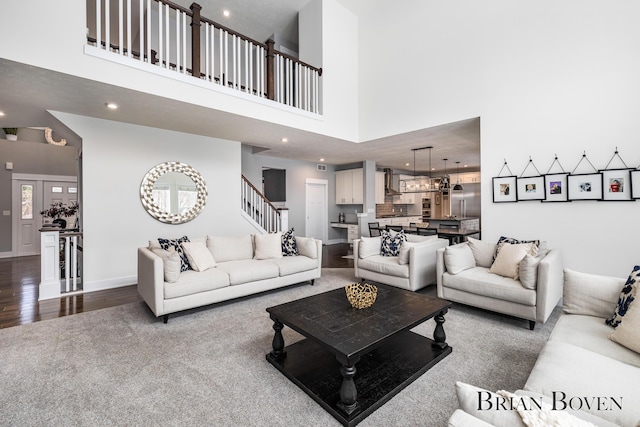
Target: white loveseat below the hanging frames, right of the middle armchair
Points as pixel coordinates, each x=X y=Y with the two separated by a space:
x=464 y=276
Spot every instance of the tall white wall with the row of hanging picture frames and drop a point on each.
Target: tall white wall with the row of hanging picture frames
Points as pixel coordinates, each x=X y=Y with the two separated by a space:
x=545 y=77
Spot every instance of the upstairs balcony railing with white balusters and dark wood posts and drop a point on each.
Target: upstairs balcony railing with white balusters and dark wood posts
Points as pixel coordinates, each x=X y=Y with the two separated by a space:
x=170 y=36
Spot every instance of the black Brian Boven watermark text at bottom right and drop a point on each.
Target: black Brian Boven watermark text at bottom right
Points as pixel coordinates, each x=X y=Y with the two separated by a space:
x=488 y=401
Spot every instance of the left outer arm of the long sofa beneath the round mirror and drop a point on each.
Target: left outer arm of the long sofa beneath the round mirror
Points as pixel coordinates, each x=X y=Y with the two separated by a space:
x=151 y=280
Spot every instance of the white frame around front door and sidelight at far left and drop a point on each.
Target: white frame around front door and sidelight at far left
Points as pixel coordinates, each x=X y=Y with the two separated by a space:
x=37 y=205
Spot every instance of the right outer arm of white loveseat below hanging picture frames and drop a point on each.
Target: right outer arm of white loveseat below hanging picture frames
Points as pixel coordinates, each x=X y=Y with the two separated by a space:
x=549 y=286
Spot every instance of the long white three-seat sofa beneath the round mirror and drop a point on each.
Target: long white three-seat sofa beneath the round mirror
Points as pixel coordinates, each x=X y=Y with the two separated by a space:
x=241 y=268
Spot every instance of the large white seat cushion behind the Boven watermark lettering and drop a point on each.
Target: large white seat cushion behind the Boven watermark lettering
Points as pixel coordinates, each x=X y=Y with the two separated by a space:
x=573 y=371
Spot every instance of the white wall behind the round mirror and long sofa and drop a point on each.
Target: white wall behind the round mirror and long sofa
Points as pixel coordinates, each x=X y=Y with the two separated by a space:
x=116 y=156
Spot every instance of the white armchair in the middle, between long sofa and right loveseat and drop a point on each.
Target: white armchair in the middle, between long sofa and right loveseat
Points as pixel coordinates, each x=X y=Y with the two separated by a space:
x=413 y=269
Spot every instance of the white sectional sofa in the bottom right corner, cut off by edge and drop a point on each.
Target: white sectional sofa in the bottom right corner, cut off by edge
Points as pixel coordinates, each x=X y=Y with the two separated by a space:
x=580 y=368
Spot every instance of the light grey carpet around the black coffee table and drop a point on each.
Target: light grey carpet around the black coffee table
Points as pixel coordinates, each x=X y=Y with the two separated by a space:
x=122 y=366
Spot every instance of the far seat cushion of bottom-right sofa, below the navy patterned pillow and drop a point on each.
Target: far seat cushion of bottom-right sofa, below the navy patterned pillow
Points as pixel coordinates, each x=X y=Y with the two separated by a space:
x=591 y=333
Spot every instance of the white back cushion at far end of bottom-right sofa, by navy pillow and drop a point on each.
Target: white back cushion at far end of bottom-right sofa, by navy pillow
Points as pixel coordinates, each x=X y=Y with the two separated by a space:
x=590 y=294
